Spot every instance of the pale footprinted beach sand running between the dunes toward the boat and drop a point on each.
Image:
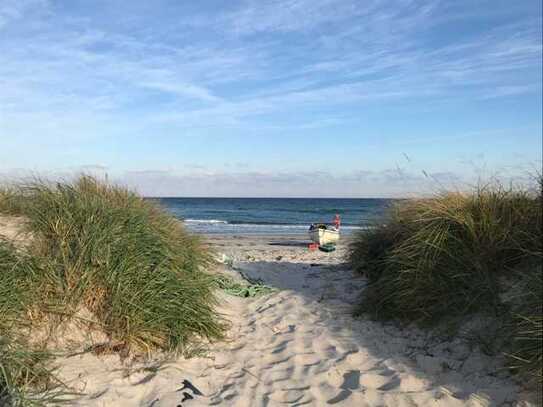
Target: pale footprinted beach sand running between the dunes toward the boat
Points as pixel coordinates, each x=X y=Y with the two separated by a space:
x=300 y=345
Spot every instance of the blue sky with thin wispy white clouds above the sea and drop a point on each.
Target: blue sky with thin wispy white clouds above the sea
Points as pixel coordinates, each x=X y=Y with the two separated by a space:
x=346 y=98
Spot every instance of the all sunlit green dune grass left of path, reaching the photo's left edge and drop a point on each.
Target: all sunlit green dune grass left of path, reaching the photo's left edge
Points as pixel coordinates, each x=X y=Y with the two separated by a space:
x=104 y=250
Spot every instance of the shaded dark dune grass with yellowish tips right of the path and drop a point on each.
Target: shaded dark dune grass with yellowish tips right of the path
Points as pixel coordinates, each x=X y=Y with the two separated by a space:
x=449 y=255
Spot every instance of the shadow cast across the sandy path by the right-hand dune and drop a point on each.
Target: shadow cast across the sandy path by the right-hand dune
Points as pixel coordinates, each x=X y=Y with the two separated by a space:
x=452 y=372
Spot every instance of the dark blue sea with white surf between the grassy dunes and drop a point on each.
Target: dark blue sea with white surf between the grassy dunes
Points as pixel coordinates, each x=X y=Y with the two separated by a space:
x=272 y=215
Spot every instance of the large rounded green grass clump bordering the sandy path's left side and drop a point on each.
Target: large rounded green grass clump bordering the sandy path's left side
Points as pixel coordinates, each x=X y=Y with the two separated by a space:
x=125 y=260
